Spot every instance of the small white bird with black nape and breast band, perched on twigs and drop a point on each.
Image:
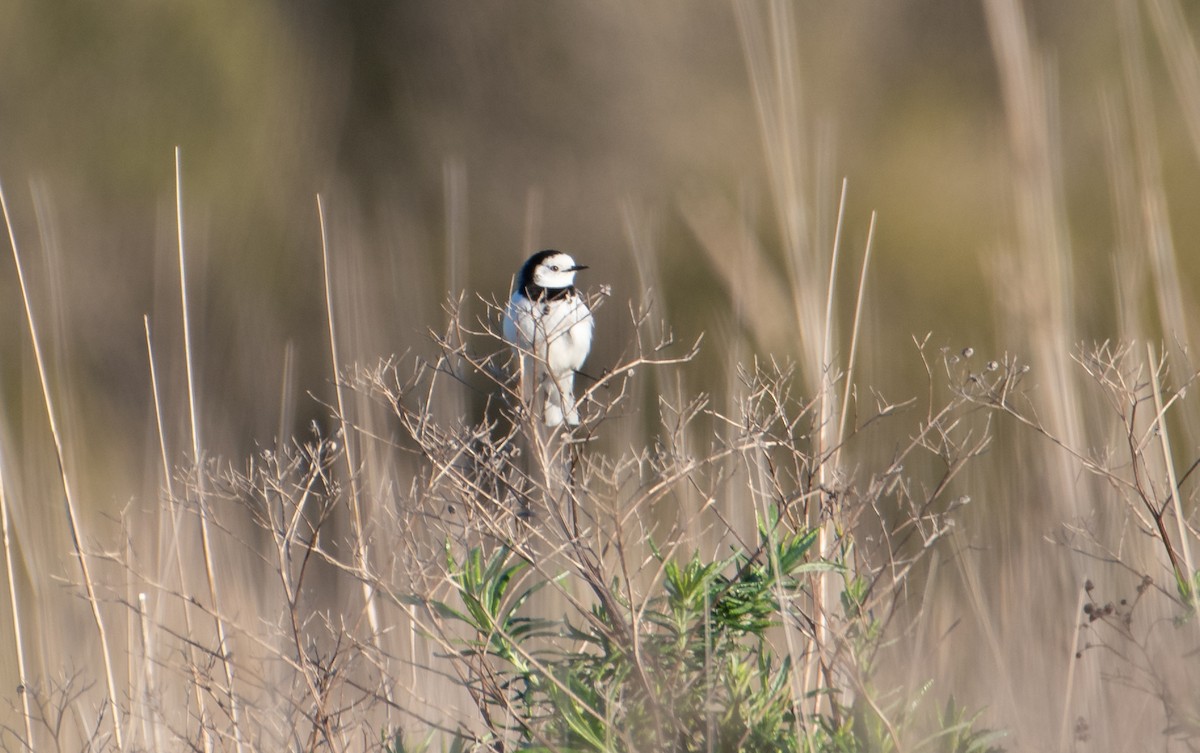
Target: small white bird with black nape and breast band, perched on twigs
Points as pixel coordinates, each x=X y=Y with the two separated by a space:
x=549 y=322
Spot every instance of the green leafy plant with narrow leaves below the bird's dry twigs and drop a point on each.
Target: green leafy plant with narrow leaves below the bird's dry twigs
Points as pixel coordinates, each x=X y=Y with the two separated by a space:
x=699 y=673
